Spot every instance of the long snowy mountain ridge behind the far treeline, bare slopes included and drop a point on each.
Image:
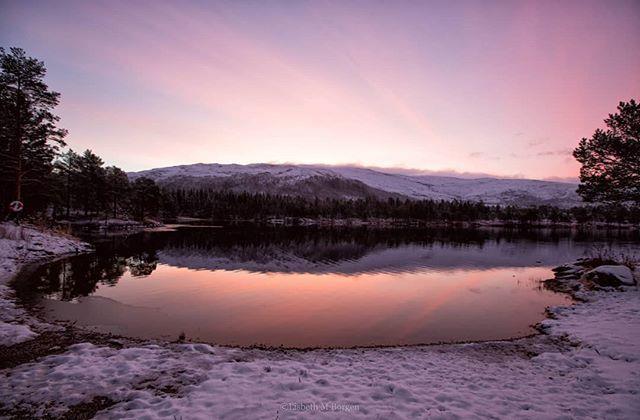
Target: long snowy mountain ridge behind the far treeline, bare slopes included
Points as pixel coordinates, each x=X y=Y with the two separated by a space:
x=355 y=182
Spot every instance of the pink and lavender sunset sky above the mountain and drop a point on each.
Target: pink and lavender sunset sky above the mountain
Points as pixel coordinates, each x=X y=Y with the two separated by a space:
x=506 y=88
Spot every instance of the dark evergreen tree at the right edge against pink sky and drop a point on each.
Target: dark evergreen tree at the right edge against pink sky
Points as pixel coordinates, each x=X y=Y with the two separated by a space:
x=611 y=158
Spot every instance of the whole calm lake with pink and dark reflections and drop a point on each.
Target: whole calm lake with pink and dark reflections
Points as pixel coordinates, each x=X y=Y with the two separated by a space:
x=297 y=287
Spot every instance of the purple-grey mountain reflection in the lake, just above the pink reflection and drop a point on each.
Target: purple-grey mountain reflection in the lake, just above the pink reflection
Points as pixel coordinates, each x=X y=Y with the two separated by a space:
x=402 y=258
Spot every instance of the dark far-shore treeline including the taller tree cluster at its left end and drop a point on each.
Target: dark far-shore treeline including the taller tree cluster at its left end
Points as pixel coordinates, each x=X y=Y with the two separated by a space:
x=80 y=186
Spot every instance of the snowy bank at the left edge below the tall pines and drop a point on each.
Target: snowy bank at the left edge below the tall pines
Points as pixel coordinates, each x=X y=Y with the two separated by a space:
x=20 y=246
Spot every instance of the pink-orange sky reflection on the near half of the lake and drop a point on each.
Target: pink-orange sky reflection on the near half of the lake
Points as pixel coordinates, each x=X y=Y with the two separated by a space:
x=243 y=307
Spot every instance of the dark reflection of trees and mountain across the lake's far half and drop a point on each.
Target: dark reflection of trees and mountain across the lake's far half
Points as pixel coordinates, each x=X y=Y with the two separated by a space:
x=309 y=250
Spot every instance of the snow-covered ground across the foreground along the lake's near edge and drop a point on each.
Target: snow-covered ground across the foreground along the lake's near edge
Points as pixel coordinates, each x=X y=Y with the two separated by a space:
x=587 y=364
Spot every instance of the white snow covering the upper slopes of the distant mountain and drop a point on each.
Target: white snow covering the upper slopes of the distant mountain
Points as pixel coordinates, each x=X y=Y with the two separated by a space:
x=489 y=190
